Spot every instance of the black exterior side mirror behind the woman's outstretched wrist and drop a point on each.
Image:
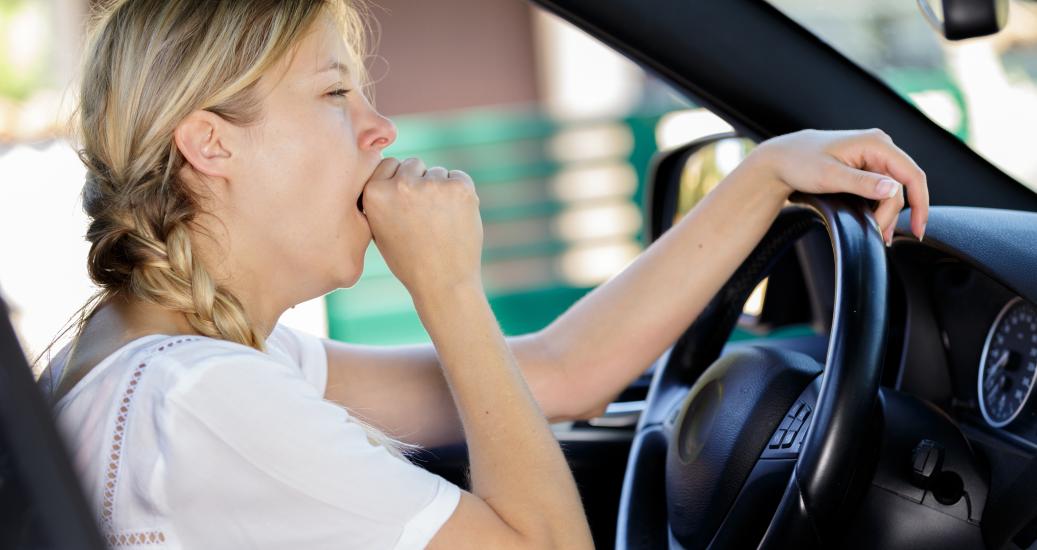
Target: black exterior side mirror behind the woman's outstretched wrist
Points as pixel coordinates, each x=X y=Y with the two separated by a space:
x=681 y=178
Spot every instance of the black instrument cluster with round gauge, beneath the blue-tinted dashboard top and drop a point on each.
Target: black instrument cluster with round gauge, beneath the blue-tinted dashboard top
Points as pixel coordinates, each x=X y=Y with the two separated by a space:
x=978 y=359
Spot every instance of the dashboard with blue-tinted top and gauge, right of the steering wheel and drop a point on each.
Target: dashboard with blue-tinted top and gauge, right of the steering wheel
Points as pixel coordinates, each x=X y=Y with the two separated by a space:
x=963 y=333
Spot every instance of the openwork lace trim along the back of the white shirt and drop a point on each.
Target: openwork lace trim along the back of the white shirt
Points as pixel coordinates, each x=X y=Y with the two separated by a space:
x=113 y=475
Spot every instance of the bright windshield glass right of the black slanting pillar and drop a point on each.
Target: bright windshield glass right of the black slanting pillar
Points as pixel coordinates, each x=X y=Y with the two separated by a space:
x=983 y=91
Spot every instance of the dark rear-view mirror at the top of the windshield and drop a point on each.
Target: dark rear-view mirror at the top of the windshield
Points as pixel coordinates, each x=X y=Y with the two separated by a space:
x=959 y=20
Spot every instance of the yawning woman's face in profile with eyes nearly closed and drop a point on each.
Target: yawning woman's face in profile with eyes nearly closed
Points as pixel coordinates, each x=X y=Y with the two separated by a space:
x=304 y=169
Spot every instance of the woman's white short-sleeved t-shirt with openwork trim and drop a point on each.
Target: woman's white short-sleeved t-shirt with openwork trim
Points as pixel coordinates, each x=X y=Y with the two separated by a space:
x=197 y=443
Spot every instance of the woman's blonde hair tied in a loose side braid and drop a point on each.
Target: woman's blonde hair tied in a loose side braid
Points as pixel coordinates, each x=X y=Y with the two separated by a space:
x=148 y=65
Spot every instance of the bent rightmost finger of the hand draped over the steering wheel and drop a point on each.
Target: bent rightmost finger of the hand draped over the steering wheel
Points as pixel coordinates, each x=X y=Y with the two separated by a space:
x=882 y=155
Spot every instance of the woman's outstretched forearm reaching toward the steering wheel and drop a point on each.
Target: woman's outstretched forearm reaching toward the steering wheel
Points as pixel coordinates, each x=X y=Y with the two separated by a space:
x=614 y=334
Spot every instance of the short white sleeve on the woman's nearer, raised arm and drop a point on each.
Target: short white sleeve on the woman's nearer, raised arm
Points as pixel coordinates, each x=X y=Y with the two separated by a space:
x=256 y=458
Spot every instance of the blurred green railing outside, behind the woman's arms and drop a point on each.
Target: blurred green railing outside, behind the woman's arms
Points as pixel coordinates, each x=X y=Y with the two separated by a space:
x=536 y=178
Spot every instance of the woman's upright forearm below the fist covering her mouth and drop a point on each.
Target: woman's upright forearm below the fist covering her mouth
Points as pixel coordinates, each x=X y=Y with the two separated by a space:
x=517 y=465
